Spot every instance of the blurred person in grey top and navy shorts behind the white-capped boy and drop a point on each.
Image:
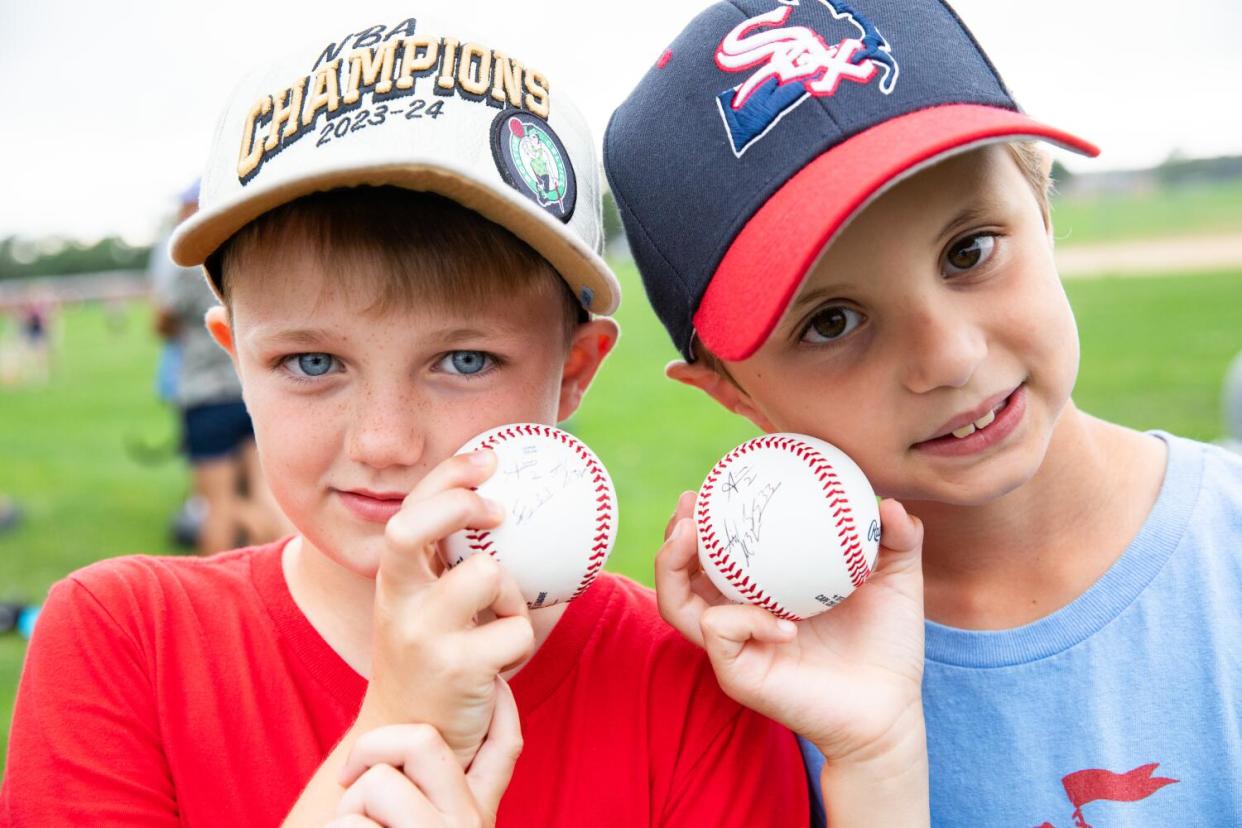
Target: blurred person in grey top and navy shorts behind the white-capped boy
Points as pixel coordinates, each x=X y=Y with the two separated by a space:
x=237 y=505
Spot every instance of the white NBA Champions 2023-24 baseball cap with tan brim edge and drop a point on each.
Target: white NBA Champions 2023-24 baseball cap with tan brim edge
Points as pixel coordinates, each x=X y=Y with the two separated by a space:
x=420 y=105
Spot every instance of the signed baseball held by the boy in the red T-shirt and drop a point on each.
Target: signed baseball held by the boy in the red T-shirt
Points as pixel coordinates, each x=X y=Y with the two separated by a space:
x=561 y=512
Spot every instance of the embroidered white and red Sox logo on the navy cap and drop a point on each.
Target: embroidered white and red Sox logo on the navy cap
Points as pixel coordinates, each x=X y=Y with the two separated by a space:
x=792 y=64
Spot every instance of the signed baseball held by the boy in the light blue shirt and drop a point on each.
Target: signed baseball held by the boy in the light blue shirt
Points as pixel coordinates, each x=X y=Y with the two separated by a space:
x=788 y=523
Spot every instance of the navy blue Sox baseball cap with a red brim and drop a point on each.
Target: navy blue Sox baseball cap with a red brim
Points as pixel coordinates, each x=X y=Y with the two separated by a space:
x=767 y=126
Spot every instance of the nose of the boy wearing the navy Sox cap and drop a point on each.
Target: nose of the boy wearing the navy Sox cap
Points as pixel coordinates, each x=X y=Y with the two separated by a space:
x=945 y=344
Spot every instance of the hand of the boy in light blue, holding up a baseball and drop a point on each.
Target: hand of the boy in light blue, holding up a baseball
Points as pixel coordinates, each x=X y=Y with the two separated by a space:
x=849 y=680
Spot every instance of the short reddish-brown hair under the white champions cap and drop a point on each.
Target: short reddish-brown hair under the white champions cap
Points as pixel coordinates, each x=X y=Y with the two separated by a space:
x=418 y=248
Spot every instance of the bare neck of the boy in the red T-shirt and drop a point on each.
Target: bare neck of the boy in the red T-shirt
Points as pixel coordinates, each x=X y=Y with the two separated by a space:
x=341 y=605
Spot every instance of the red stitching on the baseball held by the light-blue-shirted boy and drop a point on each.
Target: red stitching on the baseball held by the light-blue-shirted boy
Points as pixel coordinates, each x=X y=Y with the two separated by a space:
x=848 y=534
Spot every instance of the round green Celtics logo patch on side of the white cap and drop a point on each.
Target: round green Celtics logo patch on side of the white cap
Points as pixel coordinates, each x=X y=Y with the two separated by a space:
x=533 y=162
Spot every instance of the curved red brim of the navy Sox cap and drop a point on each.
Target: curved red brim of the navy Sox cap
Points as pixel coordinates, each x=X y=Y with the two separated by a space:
x=764 y=268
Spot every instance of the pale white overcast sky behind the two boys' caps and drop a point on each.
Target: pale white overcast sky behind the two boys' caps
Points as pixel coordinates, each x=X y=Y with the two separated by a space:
x=110 y=106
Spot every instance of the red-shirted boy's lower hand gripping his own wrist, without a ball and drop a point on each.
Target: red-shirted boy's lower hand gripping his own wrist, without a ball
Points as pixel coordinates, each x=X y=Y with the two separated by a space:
x=406 y=775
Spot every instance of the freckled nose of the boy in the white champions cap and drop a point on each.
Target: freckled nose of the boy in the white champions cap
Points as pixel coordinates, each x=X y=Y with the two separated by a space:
x=384 y=430
